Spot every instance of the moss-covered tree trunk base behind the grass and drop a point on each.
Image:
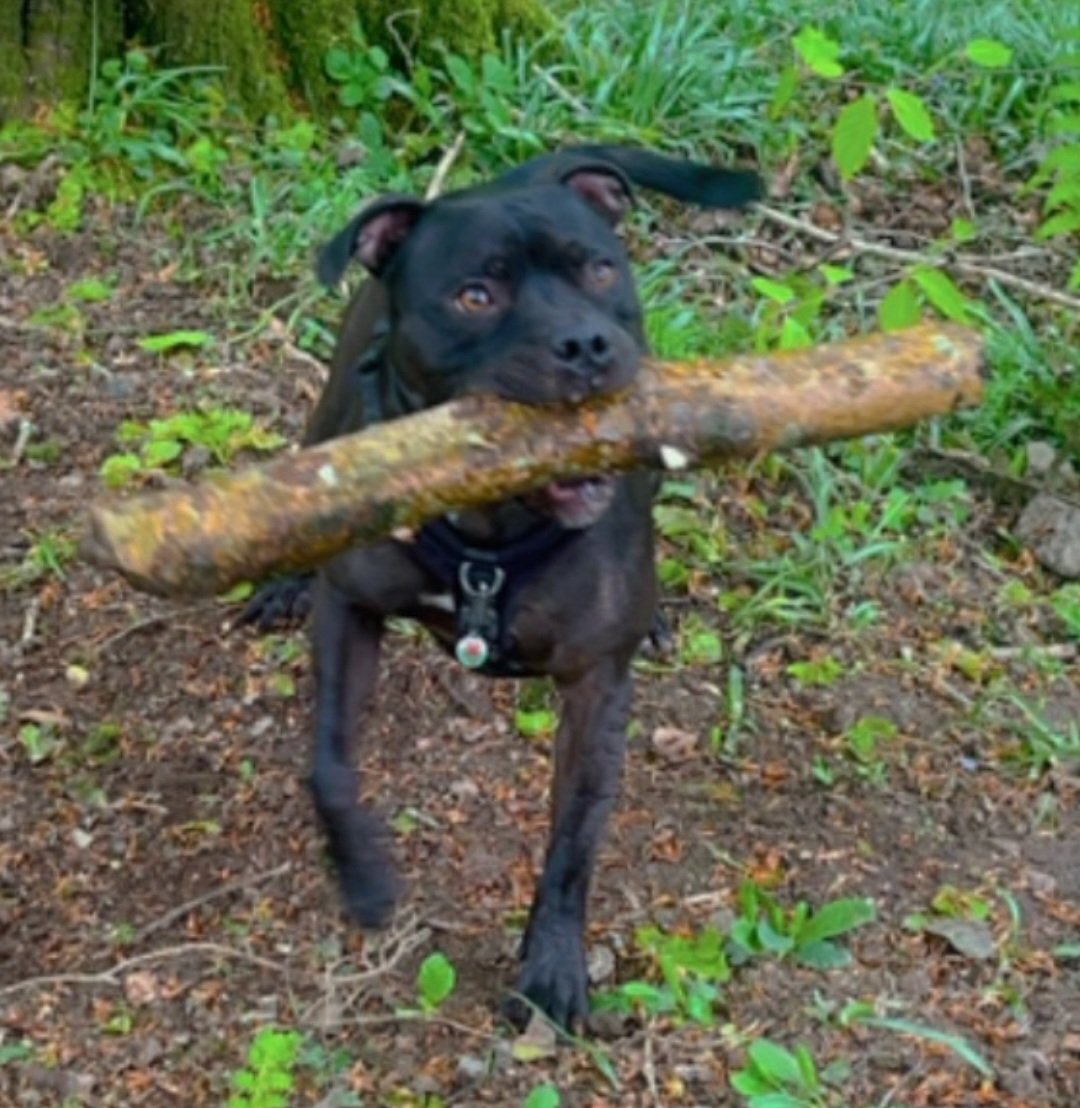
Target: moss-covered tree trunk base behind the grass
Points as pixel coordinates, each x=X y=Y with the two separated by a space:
x=272 y=52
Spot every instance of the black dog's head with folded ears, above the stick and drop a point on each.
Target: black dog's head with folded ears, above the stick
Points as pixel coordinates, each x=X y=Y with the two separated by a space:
x=524 y=292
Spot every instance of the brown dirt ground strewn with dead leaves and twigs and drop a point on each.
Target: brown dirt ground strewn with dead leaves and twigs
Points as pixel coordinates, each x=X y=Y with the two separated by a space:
x=163 y=889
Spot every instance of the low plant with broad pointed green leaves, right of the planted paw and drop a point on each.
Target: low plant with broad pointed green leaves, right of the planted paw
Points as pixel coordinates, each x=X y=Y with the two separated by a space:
x=765 y=927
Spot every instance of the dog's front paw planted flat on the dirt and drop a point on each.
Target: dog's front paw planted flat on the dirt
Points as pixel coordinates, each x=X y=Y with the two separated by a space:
x=553 y=978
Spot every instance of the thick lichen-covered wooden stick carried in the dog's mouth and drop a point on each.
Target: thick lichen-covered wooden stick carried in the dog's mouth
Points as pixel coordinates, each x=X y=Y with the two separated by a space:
x=307 y=506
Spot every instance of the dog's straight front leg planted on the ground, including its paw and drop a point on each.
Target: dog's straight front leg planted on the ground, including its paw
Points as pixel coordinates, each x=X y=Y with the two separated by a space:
x=590 y=751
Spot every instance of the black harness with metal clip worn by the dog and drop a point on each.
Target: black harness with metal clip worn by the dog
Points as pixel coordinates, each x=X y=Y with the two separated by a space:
x=484 y=581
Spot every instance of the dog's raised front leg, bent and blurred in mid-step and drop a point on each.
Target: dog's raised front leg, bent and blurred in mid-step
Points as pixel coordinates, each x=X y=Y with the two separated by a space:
x=346 y=641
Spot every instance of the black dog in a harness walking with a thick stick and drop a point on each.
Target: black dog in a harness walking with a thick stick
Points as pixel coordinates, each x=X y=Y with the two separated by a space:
x=521 y=289
